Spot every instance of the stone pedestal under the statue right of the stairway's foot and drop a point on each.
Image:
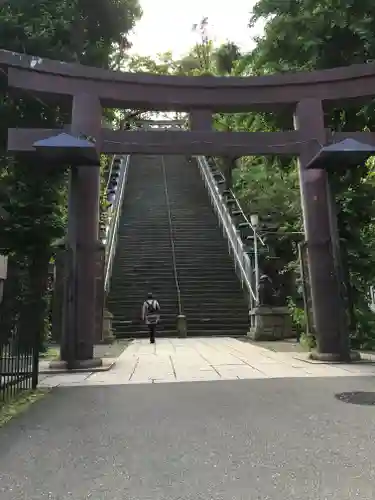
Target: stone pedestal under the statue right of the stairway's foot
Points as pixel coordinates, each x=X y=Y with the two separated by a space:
x=270 y=323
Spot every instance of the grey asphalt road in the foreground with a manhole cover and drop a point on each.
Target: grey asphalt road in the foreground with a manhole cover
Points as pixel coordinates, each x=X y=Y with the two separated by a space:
x=281 y=439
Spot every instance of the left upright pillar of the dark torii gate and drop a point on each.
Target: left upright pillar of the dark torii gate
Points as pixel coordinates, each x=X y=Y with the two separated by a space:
x=80 y=303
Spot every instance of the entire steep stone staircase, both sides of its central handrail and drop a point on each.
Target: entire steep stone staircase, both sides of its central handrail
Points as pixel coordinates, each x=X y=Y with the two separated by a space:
x=211 y=295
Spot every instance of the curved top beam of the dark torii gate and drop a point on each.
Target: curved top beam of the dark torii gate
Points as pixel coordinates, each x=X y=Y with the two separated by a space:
x=179 y=93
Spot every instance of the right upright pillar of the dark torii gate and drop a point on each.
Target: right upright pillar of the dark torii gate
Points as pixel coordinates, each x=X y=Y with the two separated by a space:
x=328 y=306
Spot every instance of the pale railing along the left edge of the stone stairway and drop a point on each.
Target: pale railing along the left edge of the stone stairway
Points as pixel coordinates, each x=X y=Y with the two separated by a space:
x=114 y=219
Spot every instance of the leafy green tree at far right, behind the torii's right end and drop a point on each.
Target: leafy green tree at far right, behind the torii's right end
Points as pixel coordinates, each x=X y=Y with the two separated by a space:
x=306 y=35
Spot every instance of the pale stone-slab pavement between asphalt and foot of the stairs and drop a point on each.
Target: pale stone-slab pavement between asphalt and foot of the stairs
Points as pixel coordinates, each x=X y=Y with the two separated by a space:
x=204 y=359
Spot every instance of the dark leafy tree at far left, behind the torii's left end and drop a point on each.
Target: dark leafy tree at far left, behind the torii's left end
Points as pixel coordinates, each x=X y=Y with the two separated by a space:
x=80 y=31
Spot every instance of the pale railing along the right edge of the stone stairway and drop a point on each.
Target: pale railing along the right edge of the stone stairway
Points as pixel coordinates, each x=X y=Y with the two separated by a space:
x=241 y=259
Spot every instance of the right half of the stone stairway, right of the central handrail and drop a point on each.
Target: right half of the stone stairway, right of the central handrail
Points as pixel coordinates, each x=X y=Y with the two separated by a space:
x=212 y=298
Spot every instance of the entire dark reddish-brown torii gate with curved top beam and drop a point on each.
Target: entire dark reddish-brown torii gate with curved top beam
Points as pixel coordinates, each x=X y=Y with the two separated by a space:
x=88 y=89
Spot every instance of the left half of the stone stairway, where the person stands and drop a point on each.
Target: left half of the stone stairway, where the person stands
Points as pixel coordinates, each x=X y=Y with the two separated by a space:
x=143 y=261
